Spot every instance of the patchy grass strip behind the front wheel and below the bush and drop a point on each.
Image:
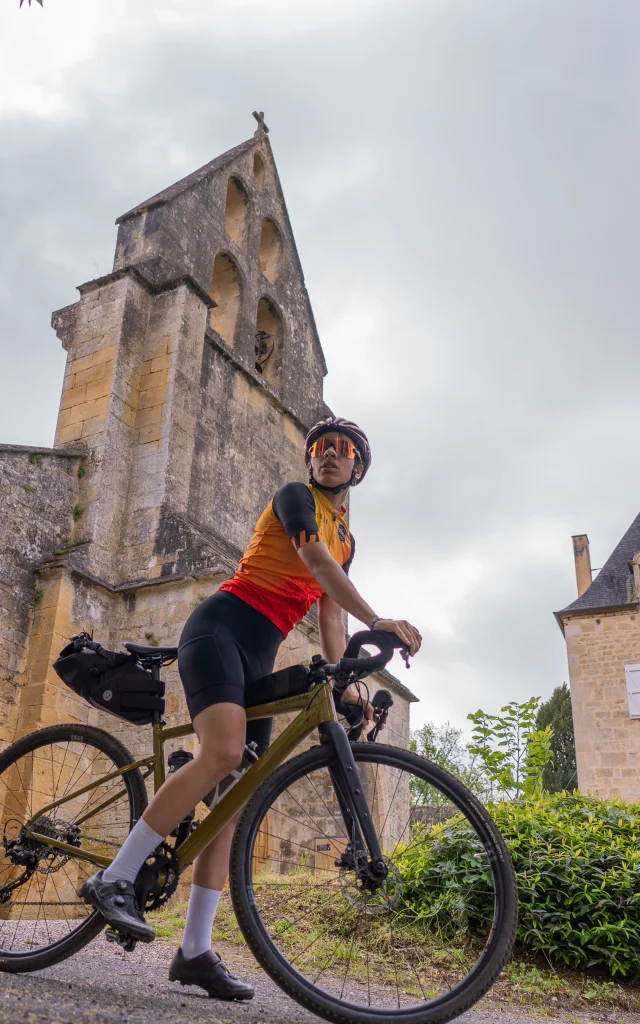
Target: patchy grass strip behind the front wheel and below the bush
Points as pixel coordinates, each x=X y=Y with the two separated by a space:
x=293 y=916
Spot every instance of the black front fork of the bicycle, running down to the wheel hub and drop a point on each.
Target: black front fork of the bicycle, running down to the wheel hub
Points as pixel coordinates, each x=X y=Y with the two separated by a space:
x=353 y=802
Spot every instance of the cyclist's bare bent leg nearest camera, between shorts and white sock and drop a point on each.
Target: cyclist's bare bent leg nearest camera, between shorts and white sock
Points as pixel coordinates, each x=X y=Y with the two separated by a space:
x=222 y=731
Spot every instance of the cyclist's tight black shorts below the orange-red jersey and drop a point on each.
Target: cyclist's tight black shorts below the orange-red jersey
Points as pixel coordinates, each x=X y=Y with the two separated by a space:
x=226 y=644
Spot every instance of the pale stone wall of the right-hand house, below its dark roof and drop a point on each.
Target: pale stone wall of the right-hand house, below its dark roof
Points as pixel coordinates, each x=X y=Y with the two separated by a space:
x=608 y=741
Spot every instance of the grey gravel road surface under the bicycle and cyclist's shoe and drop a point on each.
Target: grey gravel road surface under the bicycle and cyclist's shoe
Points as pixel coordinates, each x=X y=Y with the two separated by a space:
x=104 y=986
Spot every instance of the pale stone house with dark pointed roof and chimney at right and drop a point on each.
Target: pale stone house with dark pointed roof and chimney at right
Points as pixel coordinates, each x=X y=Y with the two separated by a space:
x=603 y=633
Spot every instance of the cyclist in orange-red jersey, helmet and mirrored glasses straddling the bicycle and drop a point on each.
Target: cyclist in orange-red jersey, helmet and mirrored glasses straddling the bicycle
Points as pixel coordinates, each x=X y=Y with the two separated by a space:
x=233 y=638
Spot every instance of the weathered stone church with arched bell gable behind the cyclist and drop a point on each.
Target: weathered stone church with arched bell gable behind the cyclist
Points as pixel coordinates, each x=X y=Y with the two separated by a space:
x=194 y=371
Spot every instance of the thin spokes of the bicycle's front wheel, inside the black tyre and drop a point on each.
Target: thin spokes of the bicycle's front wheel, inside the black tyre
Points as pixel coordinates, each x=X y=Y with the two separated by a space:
x=390 y=945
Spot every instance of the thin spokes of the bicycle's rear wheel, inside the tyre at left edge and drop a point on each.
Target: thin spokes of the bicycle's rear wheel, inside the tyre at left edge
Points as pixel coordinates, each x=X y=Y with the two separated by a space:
x=45 y=909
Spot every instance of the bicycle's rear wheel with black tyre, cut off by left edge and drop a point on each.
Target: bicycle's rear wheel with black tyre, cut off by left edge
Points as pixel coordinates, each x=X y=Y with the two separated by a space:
x=42 y=919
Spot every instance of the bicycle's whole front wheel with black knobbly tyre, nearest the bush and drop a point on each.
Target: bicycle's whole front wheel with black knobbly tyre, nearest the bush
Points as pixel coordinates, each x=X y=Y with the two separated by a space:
x=424 y=944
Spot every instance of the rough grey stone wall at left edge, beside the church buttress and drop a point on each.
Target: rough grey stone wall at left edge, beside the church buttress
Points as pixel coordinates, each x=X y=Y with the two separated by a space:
x=39 y=491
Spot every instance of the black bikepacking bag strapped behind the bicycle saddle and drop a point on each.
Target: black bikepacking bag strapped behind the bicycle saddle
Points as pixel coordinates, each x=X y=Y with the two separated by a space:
x=111 y=680
